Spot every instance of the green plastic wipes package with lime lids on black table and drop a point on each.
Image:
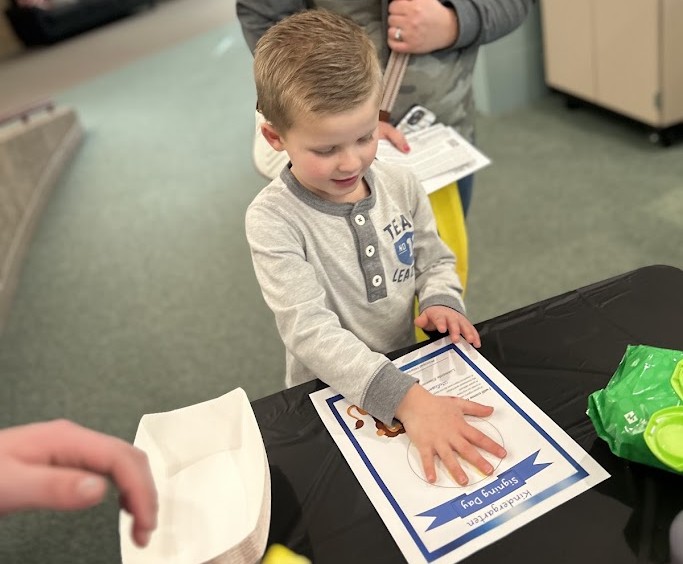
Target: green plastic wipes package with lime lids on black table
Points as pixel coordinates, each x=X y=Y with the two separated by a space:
x=640 y=411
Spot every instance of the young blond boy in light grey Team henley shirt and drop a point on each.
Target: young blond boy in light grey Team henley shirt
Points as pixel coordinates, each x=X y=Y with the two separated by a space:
x=342 y=244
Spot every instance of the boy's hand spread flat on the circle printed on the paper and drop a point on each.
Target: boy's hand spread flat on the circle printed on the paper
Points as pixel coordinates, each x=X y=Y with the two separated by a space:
x=437 y=427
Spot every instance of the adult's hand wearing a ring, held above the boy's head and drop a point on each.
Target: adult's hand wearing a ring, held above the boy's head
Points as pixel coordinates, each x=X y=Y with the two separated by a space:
x=426 y=26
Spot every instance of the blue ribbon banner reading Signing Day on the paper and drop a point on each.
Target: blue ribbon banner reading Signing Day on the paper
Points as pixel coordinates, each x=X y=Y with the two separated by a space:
x=465 y=505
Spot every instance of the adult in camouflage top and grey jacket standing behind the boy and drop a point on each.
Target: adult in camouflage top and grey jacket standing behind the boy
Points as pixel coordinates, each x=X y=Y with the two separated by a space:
x=444 y=34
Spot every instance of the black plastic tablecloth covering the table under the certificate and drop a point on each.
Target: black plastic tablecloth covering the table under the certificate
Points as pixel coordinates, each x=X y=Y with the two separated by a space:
x=557 y=352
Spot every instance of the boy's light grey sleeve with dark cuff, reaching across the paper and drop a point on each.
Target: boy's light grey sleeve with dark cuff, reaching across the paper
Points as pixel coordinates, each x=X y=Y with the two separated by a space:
x=310 y=330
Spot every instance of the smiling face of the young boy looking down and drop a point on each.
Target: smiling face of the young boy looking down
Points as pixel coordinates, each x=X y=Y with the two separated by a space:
x=330 y=153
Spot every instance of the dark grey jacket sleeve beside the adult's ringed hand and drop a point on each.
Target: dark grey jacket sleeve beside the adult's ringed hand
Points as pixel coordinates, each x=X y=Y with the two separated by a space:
x=484 y=21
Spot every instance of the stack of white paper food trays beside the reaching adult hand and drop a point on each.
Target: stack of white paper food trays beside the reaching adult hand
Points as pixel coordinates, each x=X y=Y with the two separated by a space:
x=211 y=471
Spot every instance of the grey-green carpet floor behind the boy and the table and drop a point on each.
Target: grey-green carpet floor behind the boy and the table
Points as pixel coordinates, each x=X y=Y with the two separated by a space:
x=138 y=296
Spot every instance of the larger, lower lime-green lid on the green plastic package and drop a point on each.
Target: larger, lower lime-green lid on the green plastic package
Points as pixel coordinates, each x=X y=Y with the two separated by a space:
x=664 y=436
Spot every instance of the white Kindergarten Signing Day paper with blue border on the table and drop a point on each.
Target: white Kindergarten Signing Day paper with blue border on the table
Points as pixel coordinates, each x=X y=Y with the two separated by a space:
x=446 y=522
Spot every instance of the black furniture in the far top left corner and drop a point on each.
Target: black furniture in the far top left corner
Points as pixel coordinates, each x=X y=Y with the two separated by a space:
x=40 y=26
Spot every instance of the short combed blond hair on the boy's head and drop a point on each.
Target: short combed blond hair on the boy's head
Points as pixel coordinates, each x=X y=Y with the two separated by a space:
x=314 y=62
